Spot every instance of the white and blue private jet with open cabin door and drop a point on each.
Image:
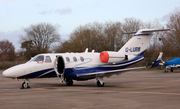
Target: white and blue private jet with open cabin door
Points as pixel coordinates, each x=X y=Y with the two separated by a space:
x=84 y=66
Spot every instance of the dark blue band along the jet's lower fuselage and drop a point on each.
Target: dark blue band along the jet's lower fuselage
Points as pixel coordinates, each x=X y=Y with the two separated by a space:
x=72 y=73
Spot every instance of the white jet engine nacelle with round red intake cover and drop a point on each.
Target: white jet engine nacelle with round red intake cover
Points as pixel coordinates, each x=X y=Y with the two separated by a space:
x=112 y=57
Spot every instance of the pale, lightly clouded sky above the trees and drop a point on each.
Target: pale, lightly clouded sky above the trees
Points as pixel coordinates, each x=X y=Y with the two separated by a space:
x=15 y=15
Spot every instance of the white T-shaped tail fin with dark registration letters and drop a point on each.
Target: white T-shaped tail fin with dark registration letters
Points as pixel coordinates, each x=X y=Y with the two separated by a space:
x=139 y=42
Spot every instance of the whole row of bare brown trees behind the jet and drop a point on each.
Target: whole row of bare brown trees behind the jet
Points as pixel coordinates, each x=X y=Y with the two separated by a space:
x=108 y=36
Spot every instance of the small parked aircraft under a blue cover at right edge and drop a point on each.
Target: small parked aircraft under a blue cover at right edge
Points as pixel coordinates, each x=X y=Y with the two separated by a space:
x=172 y=64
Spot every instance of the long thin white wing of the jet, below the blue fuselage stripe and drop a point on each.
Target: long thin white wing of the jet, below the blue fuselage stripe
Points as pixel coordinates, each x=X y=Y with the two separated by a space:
x=108 y=73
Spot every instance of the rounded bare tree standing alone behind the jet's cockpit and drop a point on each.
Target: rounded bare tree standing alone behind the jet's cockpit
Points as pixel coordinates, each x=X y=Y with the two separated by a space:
x=38 y=38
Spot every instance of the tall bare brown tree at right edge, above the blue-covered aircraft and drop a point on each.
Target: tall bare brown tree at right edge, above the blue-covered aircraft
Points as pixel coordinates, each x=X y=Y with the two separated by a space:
x=171 y=39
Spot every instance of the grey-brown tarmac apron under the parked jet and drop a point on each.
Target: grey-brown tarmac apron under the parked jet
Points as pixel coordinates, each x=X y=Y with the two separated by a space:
x=131 y=90
